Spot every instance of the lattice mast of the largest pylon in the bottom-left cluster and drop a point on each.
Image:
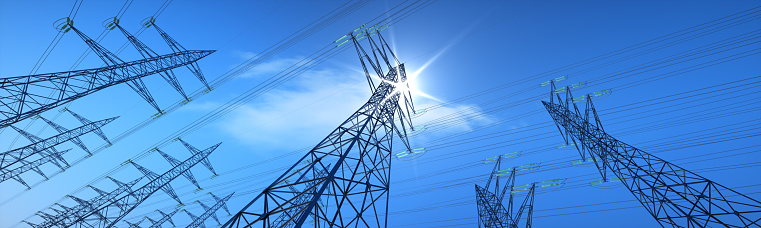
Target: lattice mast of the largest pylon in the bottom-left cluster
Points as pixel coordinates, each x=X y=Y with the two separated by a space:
x=110 y=211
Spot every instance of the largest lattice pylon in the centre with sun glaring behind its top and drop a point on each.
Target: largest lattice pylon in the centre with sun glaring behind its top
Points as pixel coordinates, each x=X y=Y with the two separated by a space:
x=350 y=169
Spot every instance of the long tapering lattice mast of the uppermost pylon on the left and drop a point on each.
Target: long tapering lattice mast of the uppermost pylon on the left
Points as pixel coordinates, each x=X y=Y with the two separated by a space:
x=27 y=96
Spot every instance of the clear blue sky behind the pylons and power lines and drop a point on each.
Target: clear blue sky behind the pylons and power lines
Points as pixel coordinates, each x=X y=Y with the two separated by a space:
x=462 y=47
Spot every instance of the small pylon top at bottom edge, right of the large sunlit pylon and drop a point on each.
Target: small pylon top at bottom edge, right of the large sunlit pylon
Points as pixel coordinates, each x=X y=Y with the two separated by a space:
x=492 y=213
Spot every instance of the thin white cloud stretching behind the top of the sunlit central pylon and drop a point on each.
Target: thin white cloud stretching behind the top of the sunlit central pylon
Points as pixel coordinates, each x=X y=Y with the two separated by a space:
x=313 y=106
